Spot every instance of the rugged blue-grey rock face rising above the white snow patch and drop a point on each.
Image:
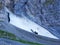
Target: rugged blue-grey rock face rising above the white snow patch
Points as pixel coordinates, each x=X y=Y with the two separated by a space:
x=43 y=12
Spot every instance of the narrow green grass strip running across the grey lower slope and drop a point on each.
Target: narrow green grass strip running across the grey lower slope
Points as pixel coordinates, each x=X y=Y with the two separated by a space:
x=7 y=35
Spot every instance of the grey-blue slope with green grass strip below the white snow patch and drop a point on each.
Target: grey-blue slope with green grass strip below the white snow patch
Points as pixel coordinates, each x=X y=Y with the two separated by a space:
x=24 y=35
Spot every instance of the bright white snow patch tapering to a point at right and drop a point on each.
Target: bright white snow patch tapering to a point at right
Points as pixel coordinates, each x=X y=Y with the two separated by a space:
x=26 y=24
